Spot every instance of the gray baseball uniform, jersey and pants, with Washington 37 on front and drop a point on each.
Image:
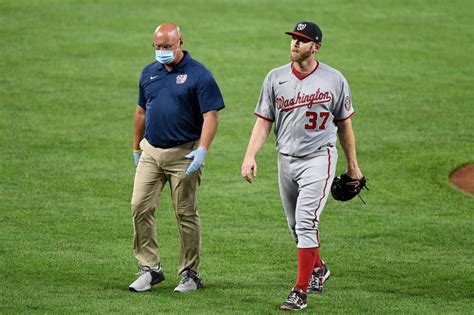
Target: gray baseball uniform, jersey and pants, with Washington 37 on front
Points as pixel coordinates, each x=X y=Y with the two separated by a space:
x=305 y=112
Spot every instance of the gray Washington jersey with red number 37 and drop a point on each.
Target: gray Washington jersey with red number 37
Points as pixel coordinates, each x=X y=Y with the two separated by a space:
x=305 y=111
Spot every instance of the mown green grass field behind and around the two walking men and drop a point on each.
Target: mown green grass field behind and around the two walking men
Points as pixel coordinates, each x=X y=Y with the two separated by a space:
x=69 y=74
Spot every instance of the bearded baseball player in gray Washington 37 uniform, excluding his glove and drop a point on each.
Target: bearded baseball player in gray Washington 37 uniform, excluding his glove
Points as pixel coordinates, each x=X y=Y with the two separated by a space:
x=310 y=103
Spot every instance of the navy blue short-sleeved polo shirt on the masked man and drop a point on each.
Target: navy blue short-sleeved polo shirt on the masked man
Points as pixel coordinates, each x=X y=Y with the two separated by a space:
x=175 y=101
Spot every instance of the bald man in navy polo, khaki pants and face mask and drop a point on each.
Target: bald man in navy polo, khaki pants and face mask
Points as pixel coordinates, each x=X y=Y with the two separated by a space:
x=174 y=125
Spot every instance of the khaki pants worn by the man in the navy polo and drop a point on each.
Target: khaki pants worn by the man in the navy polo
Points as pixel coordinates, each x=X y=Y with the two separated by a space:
x=156 y=168
